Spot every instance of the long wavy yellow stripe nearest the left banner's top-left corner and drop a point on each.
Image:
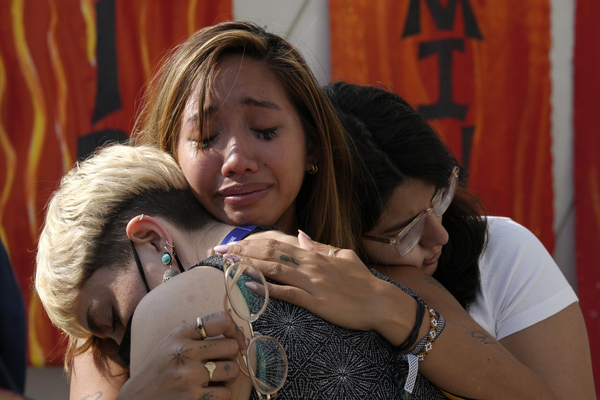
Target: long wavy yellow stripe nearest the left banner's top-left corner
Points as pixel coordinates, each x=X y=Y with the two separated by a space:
x=38 y=131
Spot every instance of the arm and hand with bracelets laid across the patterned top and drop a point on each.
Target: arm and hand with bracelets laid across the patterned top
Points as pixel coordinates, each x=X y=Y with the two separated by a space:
x=356 y=299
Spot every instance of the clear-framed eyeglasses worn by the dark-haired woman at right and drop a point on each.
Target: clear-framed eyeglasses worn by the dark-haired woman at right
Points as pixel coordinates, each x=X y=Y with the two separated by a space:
x=411 y=234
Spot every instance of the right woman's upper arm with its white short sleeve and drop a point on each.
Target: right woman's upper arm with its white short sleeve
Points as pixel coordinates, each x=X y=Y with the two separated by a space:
x=536 y=314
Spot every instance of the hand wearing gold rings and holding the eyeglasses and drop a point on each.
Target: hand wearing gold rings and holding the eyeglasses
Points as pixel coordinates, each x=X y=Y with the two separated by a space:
x=176 y=366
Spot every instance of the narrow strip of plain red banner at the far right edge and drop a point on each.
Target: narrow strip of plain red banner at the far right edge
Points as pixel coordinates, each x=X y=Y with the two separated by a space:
x=587 y=169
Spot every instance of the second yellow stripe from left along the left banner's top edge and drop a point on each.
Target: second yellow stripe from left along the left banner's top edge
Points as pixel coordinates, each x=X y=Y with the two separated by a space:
x=60 y=124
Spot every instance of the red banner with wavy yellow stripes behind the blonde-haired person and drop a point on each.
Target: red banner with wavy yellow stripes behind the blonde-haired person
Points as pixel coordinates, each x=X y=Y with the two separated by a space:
x=70 y=73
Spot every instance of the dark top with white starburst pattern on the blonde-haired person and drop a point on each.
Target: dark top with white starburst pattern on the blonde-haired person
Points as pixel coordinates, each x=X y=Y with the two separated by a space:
x=330 y=362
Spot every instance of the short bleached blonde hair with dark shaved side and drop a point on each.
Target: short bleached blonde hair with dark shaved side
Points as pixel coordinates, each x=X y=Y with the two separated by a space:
x=86 y=219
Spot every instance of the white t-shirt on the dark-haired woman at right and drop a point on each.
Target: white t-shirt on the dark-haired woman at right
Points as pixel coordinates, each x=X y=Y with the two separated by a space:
x=521 y=284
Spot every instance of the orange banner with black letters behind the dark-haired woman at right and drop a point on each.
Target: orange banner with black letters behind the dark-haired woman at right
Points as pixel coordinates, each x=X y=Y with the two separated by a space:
x=479 y=71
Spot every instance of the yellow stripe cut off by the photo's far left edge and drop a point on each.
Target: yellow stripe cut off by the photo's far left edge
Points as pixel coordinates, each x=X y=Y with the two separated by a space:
x=10 y=159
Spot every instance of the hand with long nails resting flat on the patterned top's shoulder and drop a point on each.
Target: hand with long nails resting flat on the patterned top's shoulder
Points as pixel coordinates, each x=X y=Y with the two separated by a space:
x=338 y=288
